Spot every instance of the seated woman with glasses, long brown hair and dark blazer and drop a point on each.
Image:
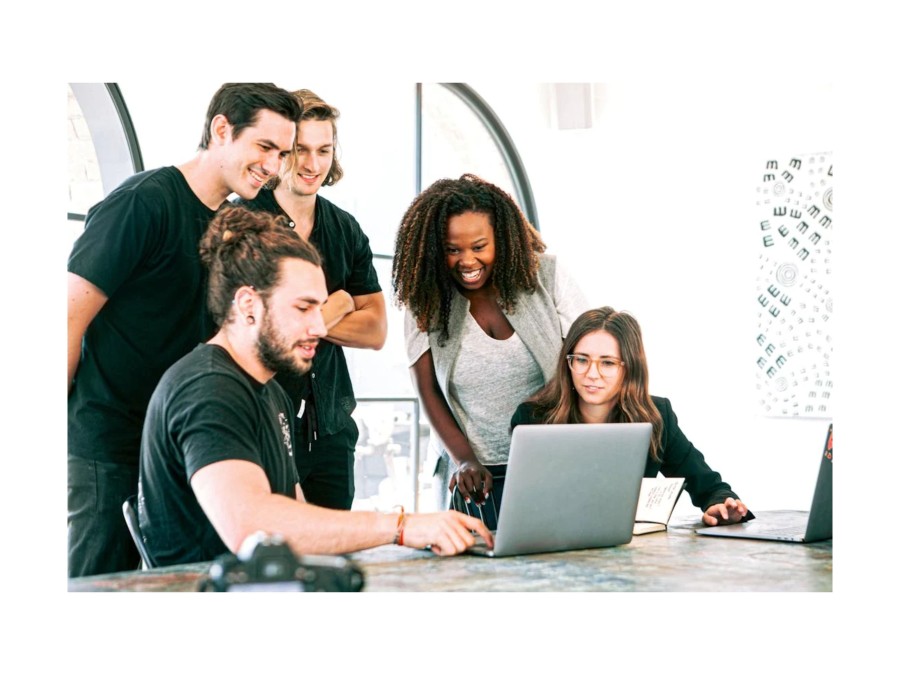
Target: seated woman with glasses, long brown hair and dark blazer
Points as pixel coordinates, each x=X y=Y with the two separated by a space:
x=601 y=377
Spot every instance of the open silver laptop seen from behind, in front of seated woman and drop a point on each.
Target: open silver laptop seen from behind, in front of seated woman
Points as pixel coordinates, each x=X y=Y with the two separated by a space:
x=569 y=486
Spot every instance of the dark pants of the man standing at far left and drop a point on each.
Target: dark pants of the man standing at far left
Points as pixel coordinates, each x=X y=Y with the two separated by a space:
x=98 y=539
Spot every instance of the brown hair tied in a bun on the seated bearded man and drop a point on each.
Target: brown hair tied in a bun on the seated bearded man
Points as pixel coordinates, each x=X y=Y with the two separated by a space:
x=244 y=248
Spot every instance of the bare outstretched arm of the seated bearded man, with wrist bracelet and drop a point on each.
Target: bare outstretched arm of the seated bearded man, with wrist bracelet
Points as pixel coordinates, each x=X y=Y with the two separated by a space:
x=236 y=497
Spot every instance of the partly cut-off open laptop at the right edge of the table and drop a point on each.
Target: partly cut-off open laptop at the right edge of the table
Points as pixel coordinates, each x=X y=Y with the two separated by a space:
x=796 y=526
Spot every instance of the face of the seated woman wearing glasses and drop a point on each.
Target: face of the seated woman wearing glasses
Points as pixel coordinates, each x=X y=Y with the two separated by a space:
x=597 y=394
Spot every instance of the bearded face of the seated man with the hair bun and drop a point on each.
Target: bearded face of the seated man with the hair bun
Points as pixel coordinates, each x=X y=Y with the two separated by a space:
x=292 y=322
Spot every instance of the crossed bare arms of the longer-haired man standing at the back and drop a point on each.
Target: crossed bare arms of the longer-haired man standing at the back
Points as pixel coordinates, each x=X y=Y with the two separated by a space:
x=363 y=326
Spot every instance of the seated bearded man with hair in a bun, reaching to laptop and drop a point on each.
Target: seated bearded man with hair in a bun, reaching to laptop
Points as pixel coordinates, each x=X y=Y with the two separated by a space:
x=216 y=454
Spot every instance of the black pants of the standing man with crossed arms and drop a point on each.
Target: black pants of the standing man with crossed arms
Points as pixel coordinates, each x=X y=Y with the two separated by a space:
x=325 y=467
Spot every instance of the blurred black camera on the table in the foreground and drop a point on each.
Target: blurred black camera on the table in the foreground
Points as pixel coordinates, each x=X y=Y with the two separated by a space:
x=266 y=563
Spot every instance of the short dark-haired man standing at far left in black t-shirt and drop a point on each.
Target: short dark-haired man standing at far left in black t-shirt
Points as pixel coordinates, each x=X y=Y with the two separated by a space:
x=137 y=304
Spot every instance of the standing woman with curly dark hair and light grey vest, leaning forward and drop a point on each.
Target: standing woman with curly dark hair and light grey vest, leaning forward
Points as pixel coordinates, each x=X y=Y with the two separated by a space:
x=487 y=310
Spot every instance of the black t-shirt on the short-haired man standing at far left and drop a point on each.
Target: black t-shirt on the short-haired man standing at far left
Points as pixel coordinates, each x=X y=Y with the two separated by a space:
x=140 y=247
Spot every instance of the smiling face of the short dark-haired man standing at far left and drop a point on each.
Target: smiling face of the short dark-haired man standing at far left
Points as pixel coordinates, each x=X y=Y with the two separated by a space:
x=250 y=160
